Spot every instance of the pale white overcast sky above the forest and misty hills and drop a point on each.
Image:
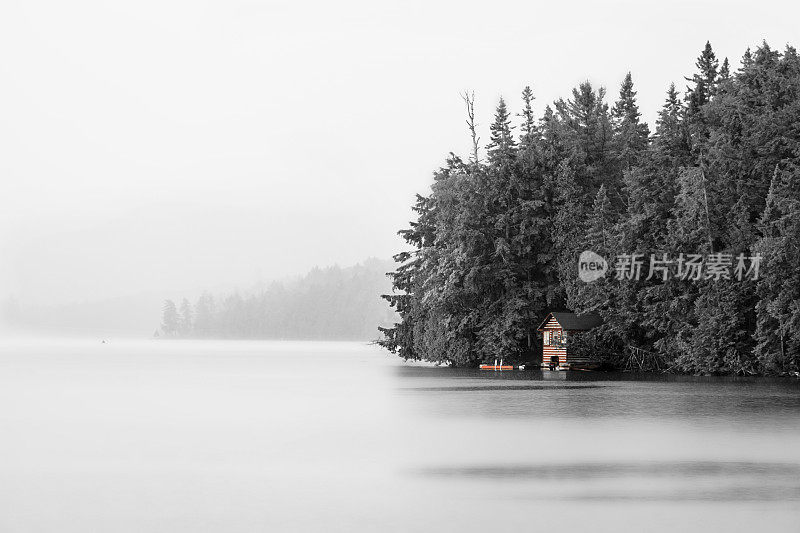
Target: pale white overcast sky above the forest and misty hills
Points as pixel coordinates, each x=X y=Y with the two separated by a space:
x=182 y=145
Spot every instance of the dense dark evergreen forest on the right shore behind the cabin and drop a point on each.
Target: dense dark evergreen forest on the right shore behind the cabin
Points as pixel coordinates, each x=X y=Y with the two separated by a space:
x=496 y=241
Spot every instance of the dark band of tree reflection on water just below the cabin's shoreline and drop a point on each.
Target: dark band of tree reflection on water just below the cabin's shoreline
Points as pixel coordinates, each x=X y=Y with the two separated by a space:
x=760 y=401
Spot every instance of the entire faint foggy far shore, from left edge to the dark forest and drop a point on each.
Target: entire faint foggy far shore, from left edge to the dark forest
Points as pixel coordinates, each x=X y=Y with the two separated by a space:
x=336 y=303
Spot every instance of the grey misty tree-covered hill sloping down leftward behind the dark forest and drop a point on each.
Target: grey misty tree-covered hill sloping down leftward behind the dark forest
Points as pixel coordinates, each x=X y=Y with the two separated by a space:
x=326 y=303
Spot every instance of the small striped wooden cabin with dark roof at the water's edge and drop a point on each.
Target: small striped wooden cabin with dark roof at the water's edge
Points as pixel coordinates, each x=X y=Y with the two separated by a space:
x=556 y=328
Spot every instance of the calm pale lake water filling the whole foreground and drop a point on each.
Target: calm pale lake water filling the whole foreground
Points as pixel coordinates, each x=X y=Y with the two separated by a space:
x=180 y=436
